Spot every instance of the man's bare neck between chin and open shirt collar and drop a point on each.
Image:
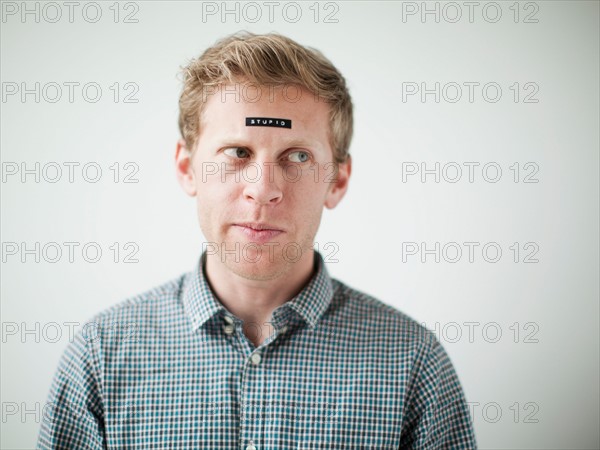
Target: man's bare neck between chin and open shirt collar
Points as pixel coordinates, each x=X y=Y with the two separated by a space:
x=254 y=301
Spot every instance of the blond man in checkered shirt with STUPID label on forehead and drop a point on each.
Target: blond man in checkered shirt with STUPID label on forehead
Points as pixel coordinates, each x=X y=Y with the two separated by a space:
x=257 y=347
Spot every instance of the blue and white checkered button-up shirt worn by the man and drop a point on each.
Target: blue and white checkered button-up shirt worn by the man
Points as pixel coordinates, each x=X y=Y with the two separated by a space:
x=172 y=369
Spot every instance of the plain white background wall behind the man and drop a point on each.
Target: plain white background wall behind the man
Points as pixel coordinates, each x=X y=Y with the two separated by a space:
x=543 y=380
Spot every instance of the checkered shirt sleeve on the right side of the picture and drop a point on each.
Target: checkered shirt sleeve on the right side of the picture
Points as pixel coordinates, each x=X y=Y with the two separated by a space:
x=437 y=415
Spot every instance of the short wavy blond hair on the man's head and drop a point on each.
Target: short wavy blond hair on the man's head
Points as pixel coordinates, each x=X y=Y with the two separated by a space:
x=267 y=60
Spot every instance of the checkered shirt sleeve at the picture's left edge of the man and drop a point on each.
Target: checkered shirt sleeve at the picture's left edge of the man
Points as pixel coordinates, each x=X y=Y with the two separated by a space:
x=75 y=417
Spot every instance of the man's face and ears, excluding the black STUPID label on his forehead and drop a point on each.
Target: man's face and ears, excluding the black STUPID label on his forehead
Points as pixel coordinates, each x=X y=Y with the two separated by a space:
x=261 y=190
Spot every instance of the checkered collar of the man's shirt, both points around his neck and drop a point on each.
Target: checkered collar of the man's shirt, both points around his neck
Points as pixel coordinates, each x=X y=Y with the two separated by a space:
x=200 y=303
